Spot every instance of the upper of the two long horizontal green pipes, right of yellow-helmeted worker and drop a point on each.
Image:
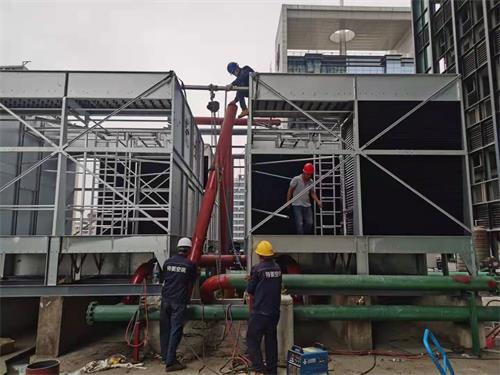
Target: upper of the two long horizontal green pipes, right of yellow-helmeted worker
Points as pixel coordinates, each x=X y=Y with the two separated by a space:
x=375 y=282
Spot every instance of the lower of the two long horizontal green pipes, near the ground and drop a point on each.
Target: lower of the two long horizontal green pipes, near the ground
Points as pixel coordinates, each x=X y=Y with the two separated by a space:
x=123 y=313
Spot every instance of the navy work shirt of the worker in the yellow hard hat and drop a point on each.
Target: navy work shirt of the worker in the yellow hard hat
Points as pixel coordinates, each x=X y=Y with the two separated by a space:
x=265 y=286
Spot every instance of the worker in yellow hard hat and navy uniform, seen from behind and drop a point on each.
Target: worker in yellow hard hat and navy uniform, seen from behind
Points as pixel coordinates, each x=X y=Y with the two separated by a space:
x=264 y=288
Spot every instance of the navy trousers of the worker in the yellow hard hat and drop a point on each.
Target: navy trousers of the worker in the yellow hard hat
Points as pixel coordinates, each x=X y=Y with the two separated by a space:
x=263 y=326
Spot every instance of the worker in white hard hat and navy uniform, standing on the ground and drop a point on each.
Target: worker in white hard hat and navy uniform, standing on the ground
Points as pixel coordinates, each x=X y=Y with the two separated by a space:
x=179 y=276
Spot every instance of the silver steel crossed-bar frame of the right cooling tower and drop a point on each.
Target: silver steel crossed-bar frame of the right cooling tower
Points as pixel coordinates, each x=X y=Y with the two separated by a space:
x=358 y=151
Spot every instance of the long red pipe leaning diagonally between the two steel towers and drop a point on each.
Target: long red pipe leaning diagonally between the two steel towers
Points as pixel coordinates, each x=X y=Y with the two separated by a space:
x=207 y=203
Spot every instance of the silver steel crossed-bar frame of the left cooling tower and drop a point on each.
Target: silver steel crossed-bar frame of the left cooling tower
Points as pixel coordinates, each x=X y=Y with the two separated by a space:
x=66 y=150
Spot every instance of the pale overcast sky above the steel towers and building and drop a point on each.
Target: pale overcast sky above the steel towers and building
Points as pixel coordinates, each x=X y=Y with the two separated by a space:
x=194 y=38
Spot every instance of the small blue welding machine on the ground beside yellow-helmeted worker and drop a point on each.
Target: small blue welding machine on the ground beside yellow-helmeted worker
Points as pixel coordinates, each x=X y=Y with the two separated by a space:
x=307 y=361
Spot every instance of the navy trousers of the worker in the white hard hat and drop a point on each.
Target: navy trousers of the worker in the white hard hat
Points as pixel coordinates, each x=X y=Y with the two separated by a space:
x=172 y=316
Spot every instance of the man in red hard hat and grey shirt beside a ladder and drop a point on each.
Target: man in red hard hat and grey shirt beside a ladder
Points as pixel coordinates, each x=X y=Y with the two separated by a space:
x=302 y=208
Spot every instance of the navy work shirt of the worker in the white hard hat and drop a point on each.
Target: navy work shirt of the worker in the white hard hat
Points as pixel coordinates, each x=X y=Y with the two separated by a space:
x=179 y=275
